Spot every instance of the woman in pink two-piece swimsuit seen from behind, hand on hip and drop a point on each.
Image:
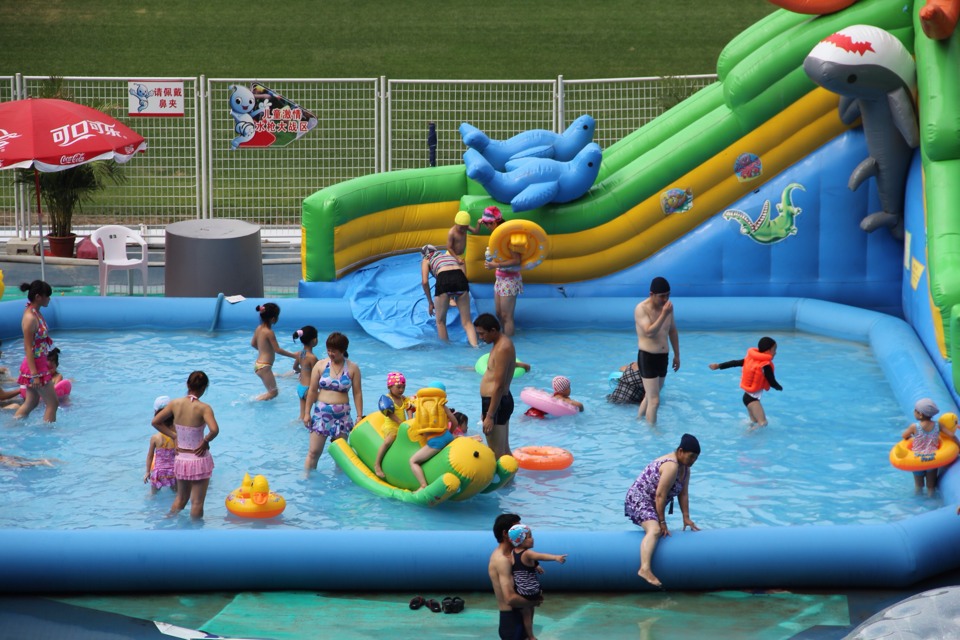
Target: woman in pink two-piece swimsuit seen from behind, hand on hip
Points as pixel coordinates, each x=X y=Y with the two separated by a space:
x=193 y=465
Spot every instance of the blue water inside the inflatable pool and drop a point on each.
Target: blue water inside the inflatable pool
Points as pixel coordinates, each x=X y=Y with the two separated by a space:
x=822 y=460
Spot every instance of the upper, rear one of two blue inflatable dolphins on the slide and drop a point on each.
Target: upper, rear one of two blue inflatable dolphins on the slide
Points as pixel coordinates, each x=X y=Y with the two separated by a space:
x=535 y=143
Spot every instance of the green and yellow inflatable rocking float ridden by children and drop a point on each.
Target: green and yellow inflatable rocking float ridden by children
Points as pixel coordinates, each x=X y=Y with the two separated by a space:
x=461 y=470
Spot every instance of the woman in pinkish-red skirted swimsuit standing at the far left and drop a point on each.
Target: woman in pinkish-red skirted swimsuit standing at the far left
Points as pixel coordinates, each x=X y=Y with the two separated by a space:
x=36 y=378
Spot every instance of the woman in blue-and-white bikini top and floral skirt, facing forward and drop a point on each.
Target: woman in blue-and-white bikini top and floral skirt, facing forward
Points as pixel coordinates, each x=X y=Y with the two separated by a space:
x=331 y=379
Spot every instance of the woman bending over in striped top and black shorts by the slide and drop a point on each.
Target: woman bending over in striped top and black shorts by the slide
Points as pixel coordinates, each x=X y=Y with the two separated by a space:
x=451 y=285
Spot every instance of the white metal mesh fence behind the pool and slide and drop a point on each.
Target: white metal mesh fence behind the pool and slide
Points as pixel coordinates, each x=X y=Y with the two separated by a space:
x=365 y=125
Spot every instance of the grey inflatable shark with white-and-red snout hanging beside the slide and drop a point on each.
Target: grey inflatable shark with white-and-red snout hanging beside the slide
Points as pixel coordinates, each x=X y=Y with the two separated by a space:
x=876 y=78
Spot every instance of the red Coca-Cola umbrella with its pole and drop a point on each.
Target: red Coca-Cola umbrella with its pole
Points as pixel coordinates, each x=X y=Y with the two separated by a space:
x=49 y=134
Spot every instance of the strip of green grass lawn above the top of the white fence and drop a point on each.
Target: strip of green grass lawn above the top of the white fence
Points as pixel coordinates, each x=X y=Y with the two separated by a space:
x=366 y=38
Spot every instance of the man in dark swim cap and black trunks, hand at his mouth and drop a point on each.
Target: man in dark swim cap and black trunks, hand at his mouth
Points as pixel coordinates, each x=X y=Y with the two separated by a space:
x=655 y=325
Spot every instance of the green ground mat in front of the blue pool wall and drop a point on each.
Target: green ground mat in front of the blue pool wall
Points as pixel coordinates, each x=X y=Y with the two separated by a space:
x=302 y=615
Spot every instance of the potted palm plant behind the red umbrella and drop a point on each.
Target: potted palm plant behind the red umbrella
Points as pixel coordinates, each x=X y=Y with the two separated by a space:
x=65 y=192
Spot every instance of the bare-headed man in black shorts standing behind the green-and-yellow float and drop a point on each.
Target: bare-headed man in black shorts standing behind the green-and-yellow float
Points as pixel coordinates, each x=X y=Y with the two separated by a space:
x=496 y=400
